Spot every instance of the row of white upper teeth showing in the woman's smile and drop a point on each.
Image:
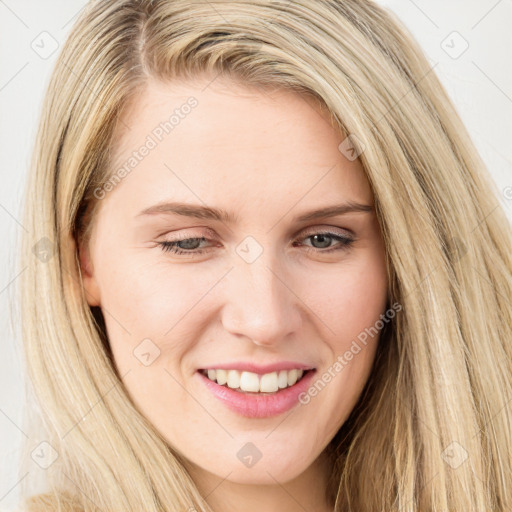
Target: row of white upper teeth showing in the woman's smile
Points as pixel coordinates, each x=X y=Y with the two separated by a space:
x=252 y=382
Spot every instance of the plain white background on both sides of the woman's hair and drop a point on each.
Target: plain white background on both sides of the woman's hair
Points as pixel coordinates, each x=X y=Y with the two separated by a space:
x=479 y=82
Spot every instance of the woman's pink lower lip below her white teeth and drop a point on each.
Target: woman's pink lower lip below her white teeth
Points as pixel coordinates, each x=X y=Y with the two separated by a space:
x=252 y=405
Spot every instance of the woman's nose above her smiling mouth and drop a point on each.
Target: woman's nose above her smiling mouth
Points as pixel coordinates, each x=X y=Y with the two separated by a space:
x=260 y=302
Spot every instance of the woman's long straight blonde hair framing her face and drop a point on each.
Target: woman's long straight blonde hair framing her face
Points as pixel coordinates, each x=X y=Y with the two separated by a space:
x=439 y=387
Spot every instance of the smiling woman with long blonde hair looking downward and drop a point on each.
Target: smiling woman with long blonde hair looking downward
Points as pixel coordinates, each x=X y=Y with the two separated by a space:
x=210 y=340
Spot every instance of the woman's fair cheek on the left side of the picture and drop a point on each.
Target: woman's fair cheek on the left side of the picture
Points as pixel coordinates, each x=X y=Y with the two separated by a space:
x=149 y=312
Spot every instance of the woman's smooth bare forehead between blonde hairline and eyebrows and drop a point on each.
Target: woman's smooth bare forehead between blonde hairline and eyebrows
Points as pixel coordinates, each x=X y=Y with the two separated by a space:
x=236 y=141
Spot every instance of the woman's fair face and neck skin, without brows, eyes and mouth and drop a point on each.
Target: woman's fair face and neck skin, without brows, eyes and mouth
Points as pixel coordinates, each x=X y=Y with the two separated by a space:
x=266 y=157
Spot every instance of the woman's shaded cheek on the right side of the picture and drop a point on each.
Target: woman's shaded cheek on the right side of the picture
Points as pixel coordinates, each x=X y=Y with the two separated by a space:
x=350 y=305
